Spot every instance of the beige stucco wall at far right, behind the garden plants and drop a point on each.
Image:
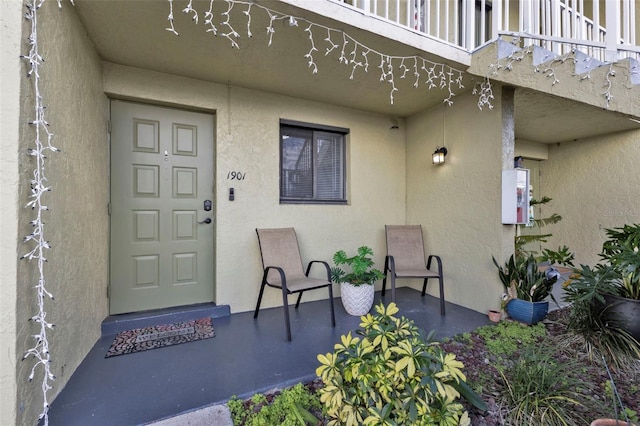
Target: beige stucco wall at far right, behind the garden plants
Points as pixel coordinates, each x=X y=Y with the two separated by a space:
x=595 y=185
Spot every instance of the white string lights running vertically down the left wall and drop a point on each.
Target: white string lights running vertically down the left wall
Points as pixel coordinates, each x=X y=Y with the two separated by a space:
x=39 y=187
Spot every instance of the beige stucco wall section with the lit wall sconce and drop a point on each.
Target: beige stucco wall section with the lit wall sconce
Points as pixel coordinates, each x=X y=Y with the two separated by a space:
x=458 y=203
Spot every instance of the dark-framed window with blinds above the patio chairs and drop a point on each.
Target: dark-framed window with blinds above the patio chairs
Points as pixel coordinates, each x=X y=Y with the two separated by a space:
x=312 y=164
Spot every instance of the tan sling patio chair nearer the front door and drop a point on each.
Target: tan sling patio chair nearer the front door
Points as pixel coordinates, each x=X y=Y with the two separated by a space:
x=283 y=269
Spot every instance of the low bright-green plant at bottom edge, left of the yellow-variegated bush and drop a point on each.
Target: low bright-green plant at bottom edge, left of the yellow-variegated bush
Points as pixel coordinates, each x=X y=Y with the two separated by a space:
x=289 y=408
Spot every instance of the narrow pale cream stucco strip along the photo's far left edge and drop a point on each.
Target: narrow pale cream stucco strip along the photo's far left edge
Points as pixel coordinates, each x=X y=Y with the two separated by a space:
x=11 y=71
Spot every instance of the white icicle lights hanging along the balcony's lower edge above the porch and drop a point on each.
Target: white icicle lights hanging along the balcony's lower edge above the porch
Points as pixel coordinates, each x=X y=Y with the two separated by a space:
x=348 y=50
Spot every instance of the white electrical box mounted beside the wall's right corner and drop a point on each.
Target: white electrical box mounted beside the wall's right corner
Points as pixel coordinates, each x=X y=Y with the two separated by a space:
x=515 y=196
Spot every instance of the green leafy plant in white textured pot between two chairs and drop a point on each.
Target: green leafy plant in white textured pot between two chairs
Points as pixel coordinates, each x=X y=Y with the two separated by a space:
x=357 y=290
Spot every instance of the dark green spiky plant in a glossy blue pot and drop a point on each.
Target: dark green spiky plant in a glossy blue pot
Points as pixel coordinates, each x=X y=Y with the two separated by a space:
x=526 y=287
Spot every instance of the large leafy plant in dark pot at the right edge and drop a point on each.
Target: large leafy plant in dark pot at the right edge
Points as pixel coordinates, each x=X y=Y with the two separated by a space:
x=606 y=298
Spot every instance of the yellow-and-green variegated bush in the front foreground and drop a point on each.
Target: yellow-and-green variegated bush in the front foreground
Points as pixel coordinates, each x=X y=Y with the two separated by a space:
x=392 y=375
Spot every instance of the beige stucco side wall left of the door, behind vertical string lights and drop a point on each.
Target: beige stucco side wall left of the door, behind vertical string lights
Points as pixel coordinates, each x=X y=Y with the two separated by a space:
x=77 y=220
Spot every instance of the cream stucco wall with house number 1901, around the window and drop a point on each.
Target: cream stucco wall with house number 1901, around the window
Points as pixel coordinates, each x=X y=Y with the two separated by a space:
x=247 y=141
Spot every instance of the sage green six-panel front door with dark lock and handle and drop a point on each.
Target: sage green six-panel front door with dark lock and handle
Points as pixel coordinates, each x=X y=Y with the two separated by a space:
x=162 y=222
